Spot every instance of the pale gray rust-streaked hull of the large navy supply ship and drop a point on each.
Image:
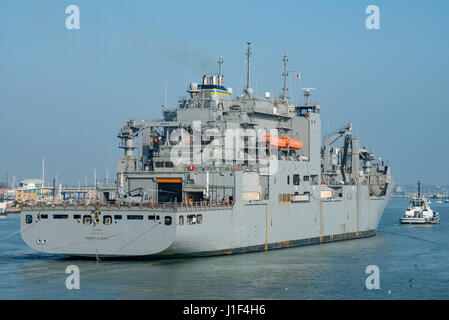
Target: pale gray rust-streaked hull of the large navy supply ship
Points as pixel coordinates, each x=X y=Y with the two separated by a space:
x=247 y=226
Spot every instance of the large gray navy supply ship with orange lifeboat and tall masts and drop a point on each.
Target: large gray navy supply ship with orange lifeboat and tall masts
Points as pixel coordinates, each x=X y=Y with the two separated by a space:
x=222 y=175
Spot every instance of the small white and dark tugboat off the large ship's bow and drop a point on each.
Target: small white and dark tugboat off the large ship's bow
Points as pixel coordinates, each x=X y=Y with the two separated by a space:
x=419 y=211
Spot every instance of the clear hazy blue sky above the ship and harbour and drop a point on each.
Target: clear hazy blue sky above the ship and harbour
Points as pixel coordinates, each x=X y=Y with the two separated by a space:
x=65 y=94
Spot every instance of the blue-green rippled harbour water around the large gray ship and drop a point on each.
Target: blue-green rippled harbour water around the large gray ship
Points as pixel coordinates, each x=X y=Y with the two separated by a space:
x=413 y=263
